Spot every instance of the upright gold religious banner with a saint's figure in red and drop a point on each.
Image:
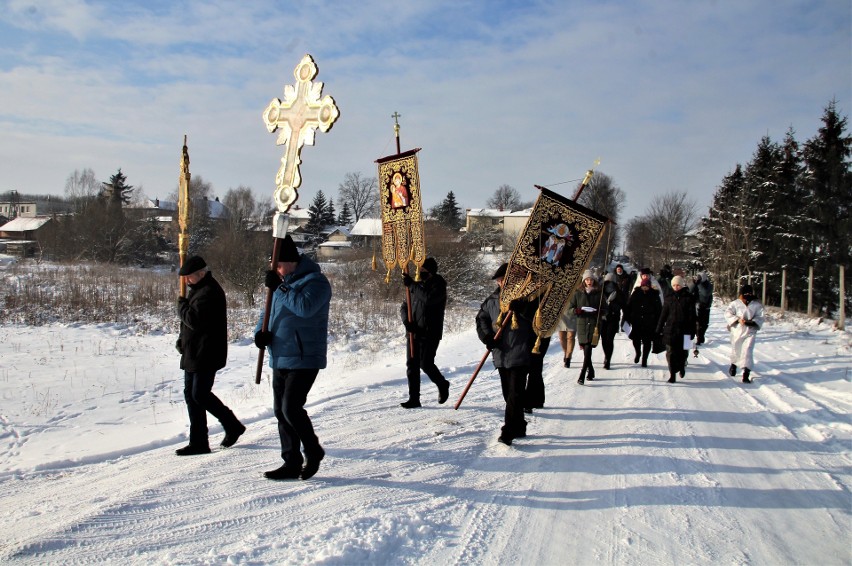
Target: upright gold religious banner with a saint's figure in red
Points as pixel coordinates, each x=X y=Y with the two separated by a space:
x=402 y=212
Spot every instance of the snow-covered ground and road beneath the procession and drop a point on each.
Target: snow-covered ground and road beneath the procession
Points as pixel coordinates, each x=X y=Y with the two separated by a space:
x=626 y=470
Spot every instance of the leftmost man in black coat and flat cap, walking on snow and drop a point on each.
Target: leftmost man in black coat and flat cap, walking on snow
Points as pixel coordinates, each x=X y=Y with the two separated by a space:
x=203 y=345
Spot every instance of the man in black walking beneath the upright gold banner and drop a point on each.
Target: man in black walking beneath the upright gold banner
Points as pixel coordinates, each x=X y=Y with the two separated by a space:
x=428 y=303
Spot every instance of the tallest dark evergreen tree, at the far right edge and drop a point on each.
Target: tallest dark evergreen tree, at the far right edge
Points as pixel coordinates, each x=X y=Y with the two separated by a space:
x=828 y=182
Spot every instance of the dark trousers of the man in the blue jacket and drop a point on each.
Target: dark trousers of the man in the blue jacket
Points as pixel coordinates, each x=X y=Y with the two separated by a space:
x=290 y=388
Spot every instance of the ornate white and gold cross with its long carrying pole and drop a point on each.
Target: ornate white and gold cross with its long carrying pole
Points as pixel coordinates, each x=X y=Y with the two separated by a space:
x=298 y=116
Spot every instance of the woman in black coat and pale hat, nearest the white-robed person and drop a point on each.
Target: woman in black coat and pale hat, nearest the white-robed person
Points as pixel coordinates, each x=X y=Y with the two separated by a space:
x=676 y=321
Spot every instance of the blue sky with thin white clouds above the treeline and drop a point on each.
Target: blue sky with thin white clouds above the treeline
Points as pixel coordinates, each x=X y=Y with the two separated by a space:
x=671 y=95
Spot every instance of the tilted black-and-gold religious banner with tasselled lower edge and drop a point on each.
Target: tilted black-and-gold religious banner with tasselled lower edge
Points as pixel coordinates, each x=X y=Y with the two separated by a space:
x=554 y=249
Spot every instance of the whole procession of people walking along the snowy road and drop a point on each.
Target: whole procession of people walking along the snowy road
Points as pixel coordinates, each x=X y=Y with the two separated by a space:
x=655 y=314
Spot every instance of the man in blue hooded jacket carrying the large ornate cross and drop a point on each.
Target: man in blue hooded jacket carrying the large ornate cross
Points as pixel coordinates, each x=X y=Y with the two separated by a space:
x=297 y=342
